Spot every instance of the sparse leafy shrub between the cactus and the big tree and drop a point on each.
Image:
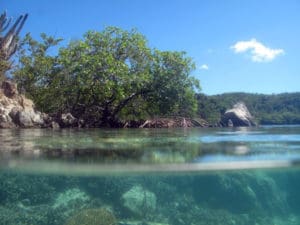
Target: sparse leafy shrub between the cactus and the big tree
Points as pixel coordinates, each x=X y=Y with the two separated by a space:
x=37 y=70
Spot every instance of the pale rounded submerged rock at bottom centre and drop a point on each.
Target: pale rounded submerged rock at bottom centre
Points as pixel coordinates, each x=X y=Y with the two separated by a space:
x=139 y=201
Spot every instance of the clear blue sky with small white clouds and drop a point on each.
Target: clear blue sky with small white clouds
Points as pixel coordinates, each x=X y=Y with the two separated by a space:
x=237 y=46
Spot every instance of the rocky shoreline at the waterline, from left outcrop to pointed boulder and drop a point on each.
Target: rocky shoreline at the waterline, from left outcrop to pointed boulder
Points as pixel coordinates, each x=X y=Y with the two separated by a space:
x=17 y=111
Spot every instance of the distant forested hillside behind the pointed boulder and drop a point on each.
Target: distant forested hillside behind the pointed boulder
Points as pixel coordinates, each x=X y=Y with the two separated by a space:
x=267 y=109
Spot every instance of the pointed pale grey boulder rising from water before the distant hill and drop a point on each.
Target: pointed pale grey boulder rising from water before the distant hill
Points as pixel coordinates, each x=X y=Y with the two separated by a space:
x=238 y=116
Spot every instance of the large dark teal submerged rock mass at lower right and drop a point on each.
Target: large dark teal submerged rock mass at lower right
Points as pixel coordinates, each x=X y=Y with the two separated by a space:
x=241 y=193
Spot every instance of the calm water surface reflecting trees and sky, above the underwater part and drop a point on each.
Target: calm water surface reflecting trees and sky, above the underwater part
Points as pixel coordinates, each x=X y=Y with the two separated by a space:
x=150 y=146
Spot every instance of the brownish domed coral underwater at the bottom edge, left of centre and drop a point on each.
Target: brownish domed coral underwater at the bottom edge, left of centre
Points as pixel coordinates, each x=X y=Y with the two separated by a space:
x=98 y=216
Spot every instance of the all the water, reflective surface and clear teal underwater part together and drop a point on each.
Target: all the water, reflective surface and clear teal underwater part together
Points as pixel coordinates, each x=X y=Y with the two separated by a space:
x=246 y=176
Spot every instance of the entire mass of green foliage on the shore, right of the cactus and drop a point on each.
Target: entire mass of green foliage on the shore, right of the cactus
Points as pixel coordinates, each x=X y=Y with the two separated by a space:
x=107 y=77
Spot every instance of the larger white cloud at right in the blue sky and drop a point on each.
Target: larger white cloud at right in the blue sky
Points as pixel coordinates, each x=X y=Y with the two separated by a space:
x=258 y=51
